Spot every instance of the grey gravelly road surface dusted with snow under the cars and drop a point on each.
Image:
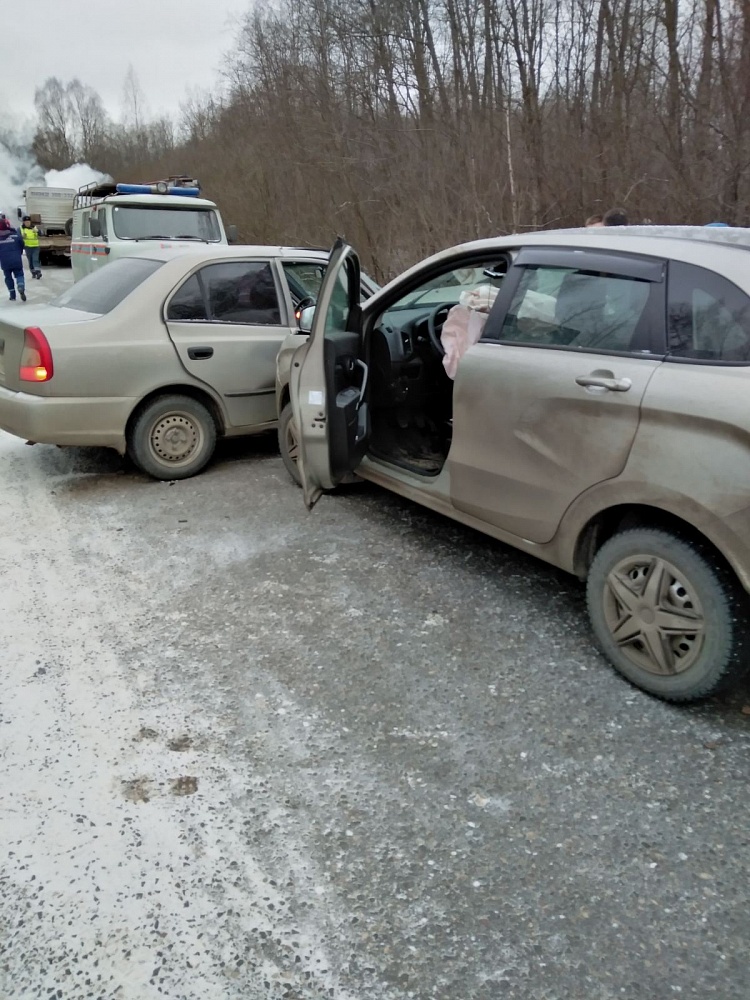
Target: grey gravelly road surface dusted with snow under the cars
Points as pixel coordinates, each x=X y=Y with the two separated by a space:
x=251 y=752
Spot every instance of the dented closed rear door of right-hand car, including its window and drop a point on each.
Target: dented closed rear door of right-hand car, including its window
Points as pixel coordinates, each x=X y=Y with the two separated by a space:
x=548 y=403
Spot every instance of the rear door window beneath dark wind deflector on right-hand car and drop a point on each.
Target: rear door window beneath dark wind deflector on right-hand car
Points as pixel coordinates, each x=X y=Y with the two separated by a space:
x=564 y=307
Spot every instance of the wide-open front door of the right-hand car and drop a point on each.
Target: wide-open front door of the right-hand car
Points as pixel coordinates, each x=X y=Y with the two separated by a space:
x=329 y=381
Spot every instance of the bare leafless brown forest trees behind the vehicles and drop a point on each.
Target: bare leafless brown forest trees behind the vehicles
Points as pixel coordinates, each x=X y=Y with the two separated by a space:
x=410 y=125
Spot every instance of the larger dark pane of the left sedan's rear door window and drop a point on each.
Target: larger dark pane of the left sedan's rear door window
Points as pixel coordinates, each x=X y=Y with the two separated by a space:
x=242 y=292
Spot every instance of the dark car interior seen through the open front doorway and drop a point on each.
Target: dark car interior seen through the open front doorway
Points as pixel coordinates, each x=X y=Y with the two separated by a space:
x=411 y=393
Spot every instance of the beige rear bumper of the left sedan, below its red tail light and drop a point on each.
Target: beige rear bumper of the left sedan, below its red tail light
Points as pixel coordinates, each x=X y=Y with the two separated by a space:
x=83 y=421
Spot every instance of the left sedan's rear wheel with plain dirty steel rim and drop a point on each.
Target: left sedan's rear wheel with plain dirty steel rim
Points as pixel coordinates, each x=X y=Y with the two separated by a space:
x=173 y=437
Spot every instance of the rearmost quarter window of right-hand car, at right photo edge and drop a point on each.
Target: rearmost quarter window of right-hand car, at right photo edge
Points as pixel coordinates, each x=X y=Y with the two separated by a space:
x=708 y=316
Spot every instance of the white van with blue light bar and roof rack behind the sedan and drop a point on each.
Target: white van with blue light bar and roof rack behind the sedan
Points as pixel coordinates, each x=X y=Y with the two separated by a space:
x=112 y=220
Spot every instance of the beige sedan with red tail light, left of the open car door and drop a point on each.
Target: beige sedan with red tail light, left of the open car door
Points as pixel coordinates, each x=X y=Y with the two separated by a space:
x=158 y=355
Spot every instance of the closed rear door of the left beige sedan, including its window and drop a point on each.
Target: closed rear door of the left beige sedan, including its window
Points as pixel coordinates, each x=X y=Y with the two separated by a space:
x=227 y=322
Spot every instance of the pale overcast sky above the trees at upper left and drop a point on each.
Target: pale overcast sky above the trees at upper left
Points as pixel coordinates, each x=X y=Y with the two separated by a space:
x=174 y=46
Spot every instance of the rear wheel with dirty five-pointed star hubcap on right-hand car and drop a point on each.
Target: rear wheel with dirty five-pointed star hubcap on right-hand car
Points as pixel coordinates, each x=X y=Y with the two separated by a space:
x=664 y=614
